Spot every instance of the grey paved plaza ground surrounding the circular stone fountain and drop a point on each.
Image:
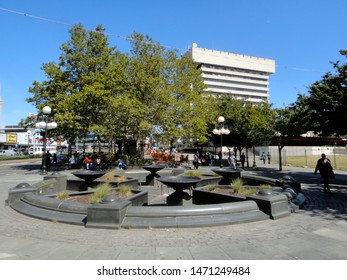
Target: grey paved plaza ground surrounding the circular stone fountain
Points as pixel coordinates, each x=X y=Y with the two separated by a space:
x=317 y=232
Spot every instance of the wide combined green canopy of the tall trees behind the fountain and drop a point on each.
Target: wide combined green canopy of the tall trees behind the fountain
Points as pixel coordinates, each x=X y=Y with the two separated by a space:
x=95 y=88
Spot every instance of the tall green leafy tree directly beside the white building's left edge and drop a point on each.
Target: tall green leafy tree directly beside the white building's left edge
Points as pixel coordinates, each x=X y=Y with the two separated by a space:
x=168 y=89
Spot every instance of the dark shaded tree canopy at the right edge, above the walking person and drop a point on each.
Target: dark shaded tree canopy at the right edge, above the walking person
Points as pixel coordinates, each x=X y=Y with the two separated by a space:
x=323 y=110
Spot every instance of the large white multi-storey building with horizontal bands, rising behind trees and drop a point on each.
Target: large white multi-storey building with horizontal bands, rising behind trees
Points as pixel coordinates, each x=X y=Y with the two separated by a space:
x=245 y=77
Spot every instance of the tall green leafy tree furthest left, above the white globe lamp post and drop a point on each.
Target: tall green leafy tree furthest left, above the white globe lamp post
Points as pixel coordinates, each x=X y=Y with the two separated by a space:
x=75 y=86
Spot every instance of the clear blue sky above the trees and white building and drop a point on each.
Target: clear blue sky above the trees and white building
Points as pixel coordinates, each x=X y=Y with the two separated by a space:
x=303 y=37
